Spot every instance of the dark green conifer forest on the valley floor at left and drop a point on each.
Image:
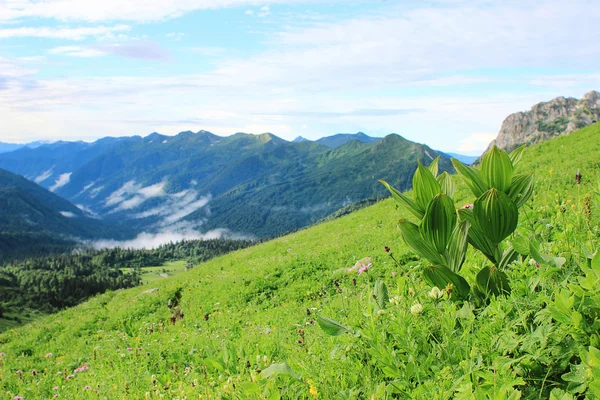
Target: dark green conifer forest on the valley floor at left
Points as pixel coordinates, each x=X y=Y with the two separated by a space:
x=53 y=282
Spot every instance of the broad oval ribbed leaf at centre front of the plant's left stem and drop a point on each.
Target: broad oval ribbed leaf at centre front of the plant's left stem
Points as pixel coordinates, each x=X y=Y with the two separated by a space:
x=438 y=222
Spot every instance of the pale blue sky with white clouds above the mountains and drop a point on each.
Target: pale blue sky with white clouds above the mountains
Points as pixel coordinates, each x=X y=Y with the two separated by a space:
x=445 y=73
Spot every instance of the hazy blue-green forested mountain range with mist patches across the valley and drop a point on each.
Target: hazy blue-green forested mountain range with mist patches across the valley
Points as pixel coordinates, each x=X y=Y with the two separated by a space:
x=253 y=185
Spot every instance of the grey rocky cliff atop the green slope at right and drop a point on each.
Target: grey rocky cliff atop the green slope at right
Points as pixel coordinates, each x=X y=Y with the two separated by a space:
x=546 y=120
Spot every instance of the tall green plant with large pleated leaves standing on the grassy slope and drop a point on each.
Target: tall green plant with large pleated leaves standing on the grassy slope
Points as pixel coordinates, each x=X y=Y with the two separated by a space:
x=442 y=234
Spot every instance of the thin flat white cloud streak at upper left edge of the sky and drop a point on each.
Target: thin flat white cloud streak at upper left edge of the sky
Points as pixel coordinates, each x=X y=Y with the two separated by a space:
x=61 y=33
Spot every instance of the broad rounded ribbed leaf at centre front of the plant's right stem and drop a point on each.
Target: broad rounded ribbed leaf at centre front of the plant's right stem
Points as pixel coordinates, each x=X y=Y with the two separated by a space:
x=496 y=215
